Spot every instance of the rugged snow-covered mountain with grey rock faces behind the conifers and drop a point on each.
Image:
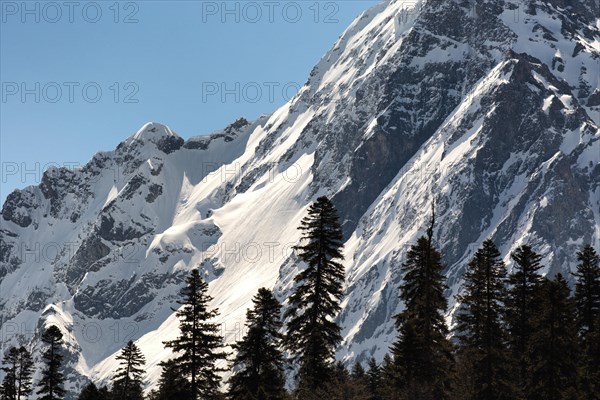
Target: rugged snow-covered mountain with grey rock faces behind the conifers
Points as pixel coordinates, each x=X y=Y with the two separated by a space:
x=490 y=106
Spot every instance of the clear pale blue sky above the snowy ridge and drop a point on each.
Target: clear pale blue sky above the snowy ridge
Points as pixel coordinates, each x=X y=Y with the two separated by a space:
x=163 y=61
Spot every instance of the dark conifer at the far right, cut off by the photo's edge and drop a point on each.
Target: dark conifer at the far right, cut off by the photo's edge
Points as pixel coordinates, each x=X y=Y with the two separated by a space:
x=587 y=302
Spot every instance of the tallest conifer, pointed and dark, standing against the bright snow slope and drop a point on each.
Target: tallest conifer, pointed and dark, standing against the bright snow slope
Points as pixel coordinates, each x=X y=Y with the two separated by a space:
x=312 y=333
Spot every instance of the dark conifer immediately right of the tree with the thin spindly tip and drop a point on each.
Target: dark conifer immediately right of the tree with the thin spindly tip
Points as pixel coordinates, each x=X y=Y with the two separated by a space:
x=480 y=327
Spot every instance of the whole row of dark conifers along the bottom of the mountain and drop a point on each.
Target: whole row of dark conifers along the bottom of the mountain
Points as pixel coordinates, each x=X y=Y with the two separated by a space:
x=515 y=336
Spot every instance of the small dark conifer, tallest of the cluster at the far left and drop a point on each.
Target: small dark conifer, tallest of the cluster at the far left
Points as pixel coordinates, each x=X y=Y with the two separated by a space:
x=51 y=384
